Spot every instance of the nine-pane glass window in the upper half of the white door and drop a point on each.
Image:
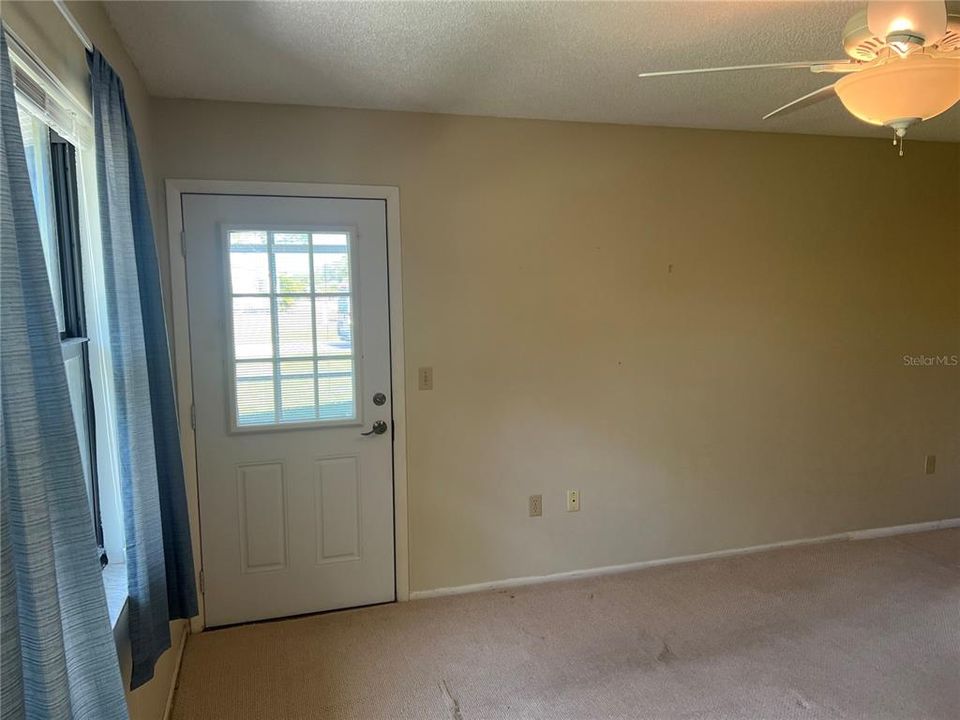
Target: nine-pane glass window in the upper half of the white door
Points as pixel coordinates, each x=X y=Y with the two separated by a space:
x=291 y=326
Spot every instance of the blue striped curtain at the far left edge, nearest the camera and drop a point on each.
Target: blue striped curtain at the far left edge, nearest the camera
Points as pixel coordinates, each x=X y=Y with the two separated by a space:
x=59 y=661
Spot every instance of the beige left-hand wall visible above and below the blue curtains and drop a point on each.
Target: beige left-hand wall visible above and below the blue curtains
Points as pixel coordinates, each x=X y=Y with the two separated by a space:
x=42 y=28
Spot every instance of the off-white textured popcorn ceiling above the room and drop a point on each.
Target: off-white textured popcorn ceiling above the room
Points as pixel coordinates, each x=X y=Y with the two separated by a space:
x=562 y=61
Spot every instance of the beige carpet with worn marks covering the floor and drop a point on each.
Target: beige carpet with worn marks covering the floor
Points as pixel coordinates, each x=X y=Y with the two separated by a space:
x=867 y=629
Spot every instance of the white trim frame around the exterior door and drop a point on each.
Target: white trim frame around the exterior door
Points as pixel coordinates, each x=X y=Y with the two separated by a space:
x=177 y=305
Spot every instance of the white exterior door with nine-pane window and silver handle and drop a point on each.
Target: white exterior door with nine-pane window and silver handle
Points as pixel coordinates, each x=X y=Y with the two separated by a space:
x=290 y=348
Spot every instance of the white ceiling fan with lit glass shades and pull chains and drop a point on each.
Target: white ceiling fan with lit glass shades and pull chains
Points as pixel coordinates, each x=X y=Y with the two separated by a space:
x=903 y=66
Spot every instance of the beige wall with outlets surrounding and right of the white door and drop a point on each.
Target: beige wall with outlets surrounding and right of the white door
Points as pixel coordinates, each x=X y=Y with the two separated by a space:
x=702 y=331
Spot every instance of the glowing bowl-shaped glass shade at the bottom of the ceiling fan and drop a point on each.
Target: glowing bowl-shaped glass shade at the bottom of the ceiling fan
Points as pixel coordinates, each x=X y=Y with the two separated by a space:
x=918 y=86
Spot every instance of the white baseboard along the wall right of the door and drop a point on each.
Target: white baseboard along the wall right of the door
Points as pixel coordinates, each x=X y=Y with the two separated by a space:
x=614 y=569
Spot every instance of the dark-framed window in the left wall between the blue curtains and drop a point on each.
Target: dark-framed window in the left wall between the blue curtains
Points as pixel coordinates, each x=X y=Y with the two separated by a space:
x=54 y=182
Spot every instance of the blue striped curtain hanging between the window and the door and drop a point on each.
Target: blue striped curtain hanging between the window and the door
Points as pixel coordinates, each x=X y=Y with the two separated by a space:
x=158 y=552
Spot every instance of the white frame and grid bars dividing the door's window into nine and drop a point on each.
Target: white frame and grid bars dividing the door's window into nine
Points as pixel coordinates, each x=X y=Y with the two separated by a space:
x=276 y=358
